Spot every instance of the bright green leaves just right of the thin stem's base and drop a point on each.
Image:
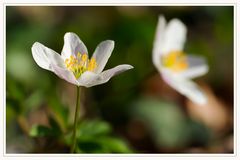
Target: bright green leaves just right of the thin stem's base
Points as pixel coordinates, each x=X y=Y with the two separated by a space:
x=95 y=137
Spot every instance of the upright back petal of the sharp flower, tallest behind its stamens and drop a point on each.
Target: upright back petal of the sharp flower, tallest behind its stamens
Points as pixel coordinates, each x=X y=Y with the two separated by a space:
x=72 y=45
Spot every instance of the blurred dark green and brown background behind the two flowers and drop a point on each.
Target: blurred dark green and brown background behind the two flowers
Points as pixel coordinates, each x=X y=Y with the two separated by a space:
x=140 y=109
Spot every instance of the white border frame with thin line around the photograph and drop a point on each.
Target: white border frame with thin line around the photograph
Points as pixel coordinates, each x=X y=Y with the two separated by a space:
x=234 y=155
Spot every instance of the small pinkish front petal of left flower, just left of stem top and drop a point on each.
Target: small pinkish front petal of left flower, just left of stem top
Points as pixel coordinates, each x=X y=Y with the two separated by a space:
x=65 y=74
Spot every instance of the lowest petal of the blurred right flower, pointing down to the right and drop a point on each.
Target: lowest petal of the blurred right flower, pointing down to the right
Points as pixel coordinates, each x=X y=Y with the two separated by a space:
x=187 y=88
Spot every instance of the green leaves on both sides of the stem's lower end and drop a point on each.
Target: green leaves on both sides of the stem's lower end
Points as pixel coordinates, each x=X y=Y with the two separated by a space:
x=93 y=136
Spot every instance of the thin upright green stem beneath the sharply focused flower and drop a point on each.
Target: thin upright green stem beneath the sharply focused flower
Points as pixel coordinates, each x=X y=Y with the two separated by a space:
x=75 y=122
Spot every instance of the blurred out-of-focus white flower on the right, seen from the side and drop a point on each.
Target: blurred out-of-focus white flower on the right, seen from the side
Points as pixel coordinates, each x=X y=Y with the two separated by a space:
x=177 y=68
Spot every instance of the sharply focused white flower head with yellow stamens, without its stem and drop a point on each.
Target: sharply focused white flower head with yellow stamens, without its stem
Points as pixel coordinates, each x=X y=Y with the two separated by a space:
x=73 y=64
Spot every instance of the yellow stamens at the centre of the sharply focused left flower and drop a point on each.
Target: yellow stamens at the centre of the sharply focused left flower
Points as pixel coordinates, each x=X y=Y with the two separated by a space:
x=79 y=64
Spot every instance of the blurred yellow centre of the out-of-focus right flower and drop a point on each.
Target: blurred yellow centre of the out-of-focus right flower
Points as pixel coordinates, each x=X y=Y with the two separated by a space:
x=175 y=61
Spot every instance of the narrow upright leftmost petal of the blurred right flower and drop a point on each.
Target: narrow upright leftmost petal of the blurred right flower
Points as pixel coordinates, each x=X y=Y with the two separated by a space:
x=159 y=41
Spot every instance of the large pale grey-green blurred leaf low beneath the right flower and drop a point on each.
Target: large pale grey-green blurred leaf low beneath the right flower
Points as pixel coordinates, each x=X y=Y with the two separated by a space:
x=165 y=121
